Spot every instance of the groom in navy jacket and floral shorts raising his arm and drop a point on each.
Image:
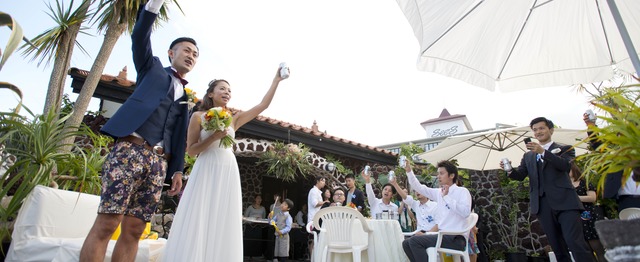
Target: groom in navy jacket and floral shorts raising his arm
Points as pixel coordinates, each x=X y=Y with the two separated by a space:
x=150 y=131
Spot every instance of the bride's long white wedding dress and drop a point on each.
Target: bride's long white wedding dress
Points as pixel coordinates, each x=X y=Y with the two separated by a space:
x=208 y=222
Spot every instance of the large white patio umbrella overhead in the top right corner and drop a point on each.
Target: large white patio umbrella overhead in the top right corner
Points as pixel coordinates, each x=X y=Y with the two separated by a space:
x=523 y=44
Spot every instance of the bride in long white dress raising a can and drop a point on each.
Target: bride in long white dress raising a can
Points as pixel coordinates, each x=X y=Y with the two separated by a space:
x=208 y=222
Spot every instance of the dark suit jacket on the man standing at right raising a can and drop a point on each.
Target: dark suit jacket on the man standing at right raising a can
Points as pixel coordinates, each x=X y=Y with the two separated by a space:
x=556 y=183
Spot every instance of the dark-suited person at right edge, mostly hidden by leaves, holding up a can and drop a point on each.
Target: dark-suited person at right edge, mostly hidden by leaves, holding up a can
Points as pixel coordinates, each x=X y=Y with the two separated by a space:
x=625 y=191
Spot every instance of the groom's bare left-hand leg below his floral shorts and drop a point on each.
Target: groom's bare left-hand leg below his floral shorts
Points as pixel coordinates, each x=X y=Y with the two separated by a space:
x=95 y=245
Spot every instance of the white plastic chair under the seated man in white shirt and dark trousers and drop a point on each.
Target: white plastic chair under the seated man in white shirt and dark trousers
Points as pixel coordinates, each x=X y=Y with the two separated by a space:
x=433 y=251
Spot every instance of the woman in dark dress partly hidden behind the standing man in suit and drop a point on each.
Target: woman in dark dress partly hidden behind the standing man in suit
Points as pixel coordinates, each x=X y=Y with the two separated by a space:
x=587 y=195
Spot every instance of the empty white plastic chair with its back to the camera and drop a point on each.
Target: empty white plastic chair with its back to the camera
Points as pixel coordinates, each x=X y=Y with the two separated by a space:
x=336 y=229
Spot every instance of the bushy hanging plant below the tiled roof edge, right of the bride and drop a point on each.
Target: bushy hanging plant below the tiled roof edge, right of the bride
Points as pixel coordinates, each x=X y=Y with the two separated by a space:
x=285 y=161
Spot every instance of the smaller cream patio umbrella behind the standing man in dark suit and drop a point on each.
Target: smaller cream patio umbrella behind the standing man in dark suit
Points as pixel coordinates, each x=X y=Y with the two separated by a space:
x=483 y=151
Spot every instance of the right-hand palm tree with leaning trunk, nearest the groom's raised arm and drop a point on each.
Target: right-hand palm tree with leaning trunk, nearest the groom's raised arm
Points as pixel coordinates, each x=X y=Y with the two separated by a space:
x=116 y=17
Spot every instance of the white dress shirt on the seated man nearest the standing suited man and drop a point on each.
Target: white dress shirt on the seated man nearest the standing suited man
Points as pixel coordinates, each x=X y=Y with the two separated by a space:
x=452 y=209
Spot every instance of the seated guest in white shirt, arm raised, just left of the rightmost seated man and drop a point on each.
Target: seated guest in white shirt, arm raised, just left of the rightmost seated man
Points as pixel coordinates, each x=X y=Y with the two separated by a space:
x=425 y=210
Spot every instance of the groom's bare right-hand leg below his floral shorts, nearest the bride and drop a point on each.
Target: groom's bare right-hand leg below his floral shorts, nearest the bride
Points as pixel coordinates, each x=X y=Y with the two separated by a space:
x=127 y=246
